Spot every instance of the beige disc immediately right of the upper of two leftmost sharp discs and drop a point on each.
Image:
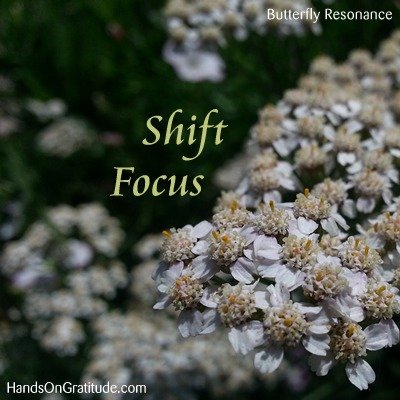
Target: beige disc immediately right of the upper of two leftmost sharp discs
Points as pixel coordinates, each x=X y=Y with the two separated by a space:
x=226 y=246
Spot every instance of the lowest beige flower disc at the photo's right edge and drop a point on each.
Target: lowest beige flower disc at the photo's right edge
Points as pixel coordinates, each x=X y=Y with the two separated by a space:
x=380 y=300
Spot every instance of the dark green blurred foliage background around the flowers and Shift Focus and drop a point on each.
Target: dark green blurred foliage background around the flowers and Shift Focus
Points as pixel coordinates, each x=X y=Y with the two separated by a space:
x=62 y=48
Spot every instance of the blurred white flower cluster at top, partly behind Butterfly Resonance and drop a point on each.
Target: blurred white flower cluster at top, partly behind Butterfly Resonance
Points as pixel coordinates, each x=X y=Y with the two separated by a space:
x=198 y=28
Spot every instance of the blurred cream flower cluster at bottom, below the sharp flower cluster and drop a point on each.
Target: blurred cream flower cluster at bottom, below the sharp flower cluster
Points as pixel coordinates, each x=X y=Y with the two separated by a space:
x=138 y=346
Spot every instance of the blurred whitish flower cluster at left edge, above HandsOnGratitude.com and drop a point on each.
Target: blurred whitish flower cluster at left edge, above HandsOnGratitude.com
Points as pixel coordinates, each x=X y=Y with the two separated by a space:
x=66 y=266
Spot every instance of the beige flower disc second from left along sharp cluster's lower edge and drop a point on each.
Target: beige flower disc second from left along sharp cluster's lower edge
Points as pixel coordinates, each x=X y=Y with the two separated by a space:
x=236 y=304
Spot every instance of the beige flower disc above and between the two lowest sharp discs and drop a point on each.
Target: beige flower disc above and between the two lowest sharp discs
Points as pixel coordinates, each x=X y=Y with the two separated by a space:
x=324 y=281
